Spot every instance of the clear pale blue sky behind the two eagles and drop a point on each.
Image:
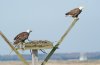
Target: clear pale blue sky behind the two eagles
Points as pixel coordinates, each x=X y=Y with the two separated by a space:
x=46 y=19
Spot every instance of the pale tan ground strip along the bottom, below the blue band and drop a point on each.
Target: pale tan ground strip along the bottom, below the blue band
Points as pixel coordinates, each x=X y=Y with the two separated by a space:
x=54 y=63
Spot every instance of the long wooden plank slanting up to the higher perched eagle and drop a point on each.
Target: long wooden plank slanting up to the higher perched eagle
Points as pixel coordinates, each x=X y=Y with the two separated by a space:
x=59 y=42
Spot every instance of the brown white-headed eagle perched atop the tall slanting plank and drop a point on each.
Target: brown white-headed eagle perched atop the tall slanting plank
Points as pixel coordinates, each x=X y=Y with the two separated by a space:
x=75 y=12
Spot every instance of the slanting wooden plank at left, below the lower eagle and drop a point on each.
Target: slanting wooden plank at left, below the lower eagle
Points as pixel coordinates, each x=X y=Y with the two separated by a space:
x=12 y=47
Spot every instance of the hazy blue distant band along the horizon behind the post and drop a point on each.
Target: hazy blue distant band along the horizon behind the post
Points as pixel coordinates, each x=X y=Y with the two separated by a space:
x=58 y=56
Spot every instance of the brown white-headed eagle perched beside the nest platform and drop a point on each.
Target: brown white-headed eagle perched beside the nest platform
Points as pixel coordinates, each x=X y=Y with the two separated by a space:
x=22 y=37
